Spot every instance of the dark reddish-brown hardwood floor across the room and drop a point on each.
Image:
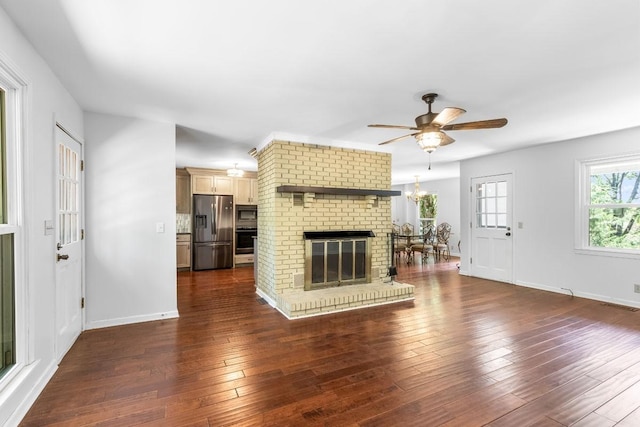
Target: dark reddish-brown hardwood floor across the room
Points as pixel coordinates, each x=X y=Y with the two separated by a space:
x=466 y=352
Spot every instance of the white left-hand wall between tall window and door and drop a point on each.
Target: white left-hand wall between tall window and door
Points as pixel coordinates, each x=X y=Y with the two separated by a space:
x=48 y=101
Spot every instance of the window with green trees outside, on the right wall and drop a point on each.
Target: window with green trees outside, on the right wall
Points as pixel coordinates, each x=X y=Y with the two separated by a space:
x=610 y=207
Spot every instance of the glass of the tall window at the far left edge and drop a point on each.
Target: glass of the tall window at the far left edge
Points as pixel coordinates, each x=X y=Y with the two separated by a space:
x=7 y=282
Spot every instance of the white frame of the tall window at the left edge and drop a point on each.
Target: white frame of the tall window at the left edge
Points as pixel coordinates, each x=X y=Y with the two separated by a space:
x=16 y=106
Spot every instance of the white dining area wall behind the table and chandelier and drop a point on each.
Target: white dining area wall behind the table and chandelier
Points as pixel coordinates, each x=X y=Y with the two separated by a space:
x=448 y=191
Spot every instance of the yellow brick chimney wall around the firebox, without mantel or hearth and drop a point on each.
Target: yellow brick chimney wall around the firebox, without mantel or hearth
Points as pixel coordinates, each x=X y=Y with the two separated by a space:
x=281 y=222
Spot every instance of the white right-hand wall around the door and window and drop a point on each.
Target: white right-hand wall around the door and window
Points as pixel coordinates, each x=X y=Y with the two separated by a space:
x=544 y=201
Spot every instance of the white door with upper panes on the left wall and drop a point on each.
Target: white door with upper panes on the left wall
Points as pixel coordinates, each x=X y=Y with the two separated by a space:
x=69 y=247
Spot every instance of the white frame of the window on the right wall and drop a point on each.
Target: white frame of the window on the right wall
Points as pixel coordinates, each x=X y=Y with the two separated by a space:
x=583 y=205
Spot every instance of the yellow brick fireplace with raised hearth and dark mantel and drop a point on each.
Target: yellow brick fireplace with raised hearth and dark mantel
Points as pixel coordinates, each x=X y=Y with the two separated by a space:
x=309 y=188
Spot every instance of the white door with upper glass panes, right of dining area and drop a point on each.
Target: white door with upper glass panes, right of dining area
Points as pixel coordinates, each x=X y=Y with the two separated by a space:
x=491 y=234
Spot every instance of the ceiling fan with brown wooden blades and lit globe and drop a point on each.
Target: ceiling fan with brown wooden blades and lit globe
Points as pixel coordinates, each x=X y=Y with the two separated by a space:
x=430 y=126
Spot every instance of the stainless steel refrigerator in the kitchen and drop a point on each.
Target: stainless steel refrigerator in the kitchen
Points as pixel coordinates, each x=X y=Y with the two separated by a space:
x=212 y=232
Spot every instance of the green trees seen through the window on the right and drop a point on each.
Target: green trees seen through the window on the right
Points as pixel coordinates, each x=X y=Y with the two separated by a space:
x=614 y=211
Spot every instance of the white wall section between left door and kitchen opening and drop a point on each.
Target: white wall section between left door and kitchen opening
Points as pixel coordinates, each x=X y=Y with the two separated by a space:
x=130 y=190
